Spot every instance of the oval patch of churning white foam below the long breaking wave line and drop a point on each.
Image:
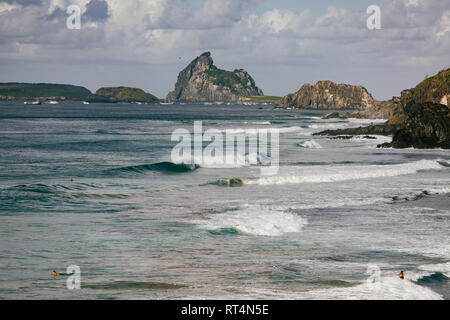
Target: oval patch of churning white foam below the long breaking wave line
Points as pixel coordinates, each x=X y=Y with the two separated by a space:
x=256 y=220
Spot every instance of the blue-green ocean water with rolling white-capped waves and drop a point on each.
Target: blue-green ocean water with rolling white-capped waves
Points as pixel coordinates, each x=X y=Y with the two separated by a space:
x=94 y=186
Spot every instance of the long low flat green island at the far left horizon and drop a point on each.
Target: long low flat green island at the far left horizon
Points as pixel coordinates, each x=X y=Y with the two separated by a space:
x=25 y=91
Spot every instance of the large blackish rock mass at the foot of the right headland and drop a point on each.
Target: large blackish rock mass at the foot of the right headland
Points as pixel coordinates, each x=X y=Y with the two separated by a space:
x=425 y=125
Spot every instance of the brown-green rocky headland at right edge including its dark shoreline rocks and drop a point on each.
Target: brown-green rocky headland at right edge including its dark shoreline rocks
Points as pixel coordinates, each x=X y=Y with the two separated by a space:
x=420 y=116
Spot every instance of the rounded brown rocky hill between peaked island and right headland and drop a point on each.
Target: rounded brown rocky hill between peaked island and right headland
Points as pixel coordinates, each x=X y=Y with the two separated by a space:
x=327 y=95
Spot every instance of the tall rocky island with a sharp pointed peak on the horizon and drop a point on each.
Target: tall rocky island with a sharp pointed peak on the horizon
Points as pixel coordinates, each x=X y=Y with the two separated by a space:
x=201 y=81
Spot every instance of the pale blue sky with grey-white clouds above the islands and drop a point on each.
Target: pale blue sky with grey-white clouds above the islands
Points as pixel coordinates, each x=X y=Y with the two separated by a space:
x=283 y=44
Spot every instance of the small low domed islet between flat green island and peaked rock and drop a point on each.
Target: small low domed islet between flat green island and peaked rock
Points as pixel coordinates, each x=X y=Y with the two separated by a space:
x=121 y=94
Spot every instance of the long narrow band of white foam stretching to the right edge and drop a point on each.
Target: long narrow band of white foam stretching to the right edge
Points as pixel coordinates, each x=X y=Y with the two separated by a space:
x=311 y=174
